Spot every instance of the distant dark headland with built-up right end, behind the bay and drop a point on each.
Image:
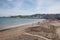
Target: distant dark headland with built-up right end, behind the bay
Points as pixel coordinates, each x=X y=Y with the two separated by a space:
x=41 y=16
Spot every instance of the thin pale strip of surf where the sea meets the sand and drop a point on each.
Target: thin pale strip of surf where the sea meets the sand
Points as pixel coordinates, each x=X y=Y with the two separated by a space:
x=28 y=23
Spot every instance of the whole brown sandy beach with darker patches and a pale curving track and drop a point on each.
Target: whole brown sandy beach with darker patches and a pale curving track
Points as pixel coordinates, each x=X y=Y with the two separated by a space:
x=36 y=31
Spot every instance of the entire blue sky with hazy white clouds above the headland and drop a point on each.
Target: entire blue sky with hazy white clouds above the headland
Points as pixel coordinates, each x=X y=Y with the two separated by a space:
x=29 y=7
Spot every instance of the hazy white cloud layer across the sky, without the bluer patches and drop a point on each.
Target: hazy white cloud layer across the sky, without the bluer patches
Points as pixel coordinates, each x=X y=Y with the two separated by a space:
x=42 y=6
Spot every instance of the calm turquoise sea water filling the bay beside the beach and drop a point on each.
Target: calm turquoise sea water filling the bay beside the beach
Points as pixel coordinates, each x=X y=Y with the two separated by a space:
x=7 y=22
